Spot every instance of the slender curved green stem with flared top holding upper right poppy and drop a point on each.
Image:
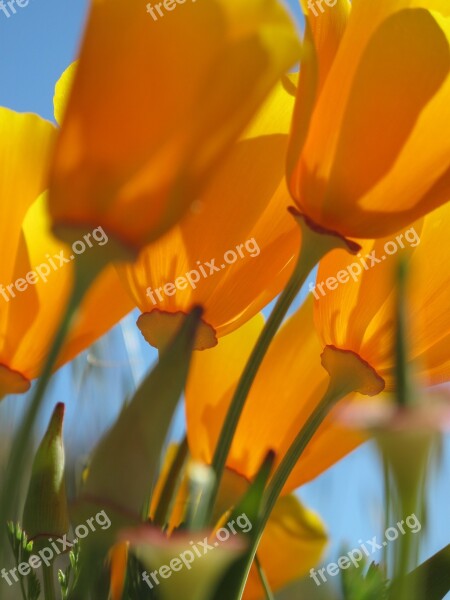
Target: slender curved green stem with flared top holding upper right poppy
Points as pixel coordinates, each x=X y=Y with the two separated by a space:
x=316 y=243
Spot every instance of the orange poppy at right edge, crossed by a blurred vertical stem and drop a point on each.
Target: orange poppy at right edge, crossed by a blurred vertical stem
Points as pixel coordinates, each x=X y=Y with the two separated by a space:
x=356 y=311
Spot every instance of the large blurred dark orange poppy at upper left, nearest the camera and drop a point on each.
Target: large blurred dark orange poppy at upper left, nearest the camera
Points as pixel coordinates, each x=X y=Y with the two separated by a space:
x=155 y=106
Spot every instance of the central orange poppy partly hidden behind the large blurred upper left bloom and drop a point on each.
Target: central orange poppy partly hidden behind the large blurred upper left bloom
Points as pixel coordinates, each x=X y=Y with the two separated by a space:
x=235 y=252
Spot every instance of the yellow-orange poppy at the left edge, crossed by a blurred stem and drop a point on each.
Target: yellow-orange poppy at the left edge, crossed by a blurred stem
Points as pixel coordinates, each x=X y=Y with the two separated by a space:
x=34 y=275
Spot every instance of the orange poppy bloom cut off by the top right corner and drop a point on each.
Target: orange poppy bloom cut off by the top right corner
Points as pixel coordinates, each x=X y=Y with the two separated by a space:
x=368 y=152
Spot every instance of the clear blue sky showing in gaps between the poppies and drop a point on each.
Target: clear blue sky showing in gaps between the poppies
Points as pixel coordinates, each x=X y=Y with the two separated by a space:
x=36 y=45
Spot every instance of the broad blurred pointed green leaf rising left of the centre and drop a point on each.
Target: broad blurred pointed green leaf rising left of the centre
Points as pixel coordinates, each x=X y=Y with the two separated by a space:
x=126 y=461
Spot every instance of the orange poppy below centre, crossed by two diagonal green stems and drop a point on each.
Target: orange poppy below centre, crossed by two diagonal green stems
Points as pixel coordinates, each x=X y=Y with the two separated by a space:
x=274 y=413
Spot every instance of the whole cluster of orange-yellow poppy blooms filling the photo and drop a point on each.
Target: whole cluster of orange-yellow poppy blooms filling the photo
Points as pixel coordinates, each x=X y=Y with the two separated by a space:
x=182 y=151
